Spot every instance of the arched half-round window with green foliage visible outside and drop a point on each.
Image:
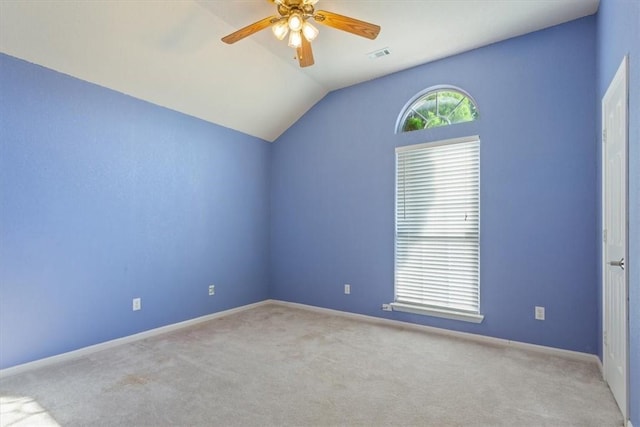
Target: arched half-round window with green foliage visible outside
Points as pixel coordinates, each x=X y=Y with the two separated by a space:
x=439 y=106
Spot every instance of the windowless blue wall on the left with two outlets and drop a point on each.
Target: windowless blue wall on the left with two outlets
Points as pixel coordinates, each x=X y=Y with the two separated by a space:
x=104 y=198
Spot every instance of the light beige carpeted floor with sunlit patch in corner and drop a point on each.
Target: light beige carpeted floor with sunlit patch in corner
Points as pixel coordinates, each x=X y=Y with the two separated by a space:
x=275 y=365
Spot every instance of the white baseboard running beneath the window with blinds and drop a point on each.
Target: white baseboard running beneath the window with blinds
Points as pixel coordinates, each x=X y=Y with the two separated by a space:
x=575 y=355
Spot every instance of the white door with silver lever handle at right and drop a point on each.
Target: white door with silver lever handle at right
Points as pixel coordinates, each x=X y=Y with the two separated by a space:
x=614 y=213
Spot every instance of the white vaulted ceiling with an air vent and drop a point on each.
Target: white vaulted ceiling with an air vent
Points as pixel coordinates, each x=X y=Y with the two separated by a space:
x=169 y=52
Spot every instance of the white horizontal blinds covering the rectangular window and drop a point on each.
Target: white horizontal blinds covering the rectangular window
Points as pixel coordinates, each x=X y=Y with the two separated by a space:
x=437 y=225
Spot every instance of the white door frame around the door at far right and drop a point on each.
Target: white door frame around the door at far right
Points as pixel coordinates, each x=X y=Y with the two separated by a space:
x=622 y=72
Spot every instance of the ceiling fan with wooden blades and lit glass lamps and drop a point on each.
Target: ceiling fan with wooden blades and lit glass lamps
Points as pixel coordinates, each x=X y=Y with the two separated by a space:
x=293 y=18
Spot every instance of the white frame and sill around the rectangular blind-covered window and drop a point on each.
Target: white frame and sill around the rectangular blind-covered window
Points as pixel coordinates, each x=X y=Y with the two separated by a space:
x=435 y=309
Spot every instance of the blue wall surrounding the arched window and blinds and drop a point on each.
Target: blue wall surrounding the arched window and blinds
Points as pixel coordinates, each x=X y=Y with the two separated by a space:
x=333 y=189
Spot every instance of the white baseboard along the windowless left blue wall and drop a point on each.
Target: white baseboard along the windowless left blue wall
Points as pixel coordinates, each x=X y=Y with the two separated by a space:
x=120 y=341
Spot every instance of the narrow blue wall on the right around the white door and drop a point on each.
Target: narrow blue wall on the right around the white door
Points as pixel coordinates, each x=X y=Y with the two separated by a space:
x=619 y=35
